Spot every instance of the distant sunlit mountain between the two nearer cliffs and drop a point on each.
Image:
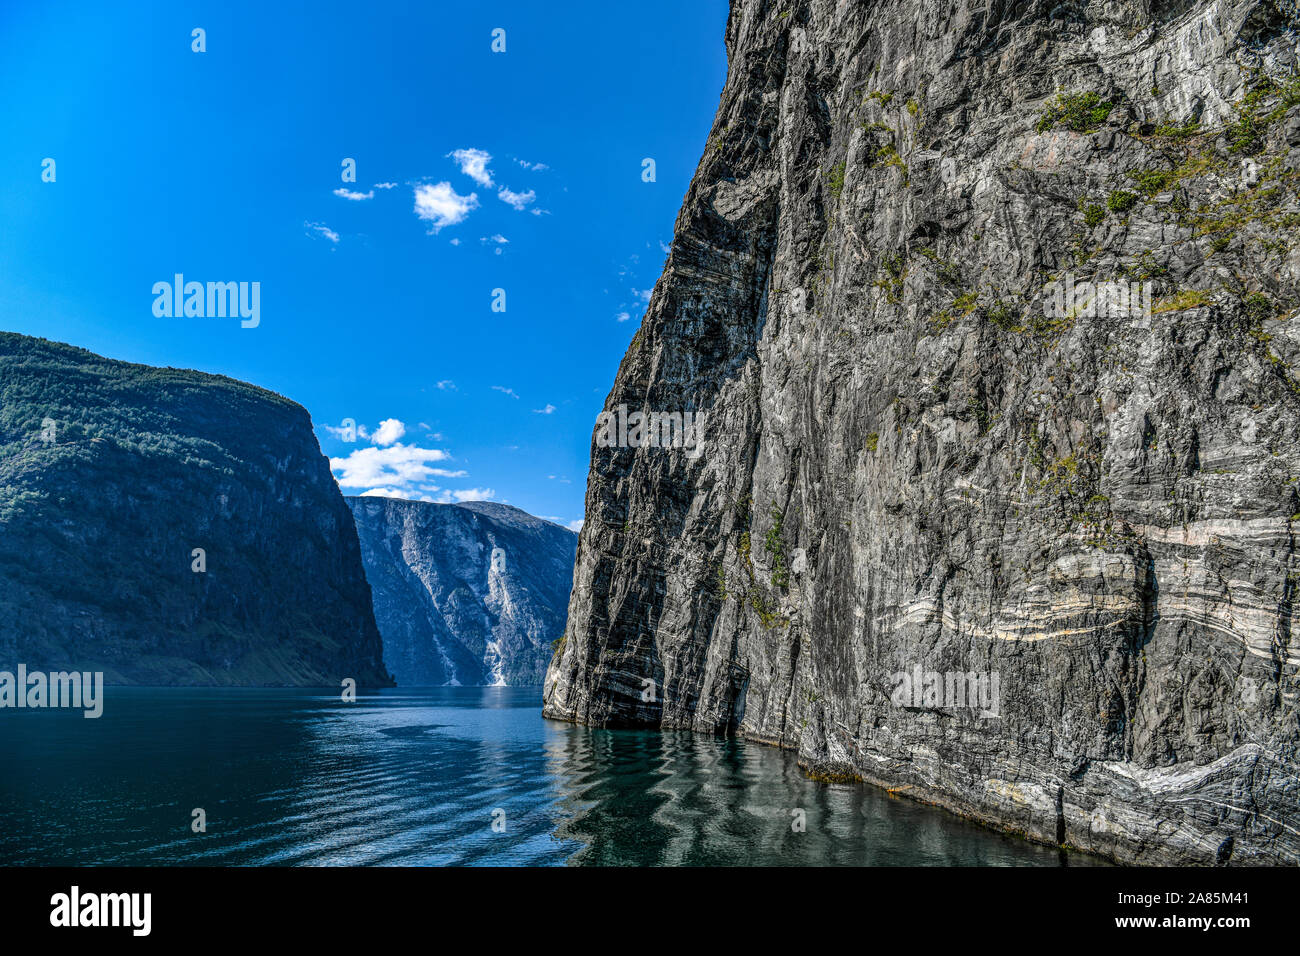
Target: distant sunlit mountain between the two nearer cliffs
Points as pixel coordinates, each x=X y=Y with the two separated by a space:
x=471 y=594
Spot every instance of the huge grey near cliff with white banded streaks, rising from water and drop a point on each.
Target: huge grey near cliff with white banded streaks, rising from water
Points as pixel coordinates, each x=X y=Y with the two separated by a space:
x=913 y=461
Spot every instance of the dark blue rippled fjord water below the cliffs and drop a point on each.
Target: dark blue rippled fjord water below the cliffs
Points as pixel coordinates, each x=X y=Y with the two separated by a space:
x=418 y=777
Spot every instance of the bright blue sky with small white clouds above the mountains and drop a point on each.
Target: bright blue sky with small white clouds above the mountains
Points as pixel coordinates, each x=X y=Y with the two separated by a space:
x=226 y=166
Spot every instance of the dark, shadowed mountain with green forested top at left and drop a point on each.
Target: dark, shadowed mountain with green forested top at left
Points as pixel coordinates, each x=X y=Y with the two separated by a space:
x=172 y=527
